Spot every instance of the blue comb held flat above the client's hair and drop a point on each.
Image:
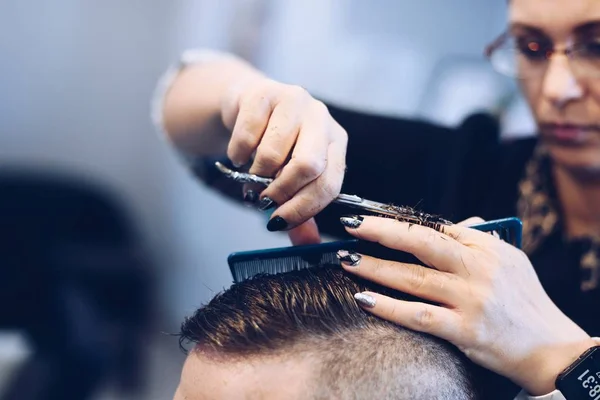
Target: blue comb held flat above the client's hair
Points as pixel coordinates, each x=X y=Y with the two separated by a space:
x=247 y=264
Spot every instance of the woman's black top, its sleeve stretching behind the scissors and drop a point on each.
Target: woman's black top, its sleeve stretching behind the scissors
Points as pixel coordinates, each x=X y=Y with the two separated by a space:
x=457 y=173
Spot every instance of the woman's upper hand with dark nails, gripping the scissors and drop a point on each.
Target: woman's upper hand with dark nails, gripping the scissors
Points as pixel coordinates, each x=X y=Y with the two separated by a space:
x=294 y=139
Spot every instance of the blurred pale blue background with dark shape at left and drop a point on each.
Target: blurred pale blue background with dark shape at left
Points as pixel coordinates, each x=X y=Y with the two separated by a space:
x=107 y=242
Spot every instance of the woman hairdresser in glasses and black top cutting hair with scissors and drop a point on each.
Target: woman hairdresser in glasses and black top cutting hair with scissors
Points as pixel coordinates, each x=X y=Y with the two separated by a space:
x=527 y=323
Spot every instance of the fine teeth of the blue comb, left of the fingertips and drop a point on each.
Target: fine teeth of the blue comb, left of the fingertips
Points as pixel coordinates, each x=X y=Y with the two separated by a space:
x=242 y=270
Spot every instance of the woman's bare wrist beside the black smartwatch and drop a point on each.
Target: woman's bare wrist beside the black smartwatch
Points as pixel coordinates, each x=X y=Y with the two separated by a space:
x=539 y=373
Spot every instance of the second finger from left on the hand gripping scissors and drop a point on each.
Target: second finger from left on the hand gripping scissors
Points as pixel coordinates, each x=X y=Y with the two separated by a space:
x=278 y=139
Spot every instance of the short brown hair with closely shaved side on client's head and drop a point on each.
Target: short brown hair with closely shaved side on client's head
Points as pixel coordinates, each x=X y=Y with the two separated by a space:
x=313 y=312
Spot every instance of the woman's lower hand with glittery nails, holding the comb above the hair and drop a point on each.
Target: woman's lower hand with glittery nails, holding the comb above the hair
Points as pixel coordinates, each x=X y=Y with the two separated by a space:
x=492 y=304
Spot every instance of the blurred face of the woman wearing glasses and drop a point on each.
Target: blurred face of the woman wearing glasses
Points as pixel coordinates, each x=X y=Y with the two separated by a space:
x=565 y=97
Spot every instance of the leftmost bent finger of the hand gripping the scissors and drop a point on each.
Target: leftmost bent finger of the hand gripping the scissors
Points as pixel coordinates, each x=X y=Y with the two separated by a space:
x=250 y=124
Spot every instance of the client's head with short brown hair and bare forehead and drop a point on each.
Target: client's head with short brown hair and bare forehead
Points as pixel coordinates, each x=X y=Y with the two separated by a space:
x=301 y=335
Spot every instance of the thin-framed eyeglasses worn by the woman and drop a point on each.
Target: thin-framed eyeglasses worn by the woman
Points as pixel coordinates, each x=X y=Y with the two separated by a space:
x=526 y=58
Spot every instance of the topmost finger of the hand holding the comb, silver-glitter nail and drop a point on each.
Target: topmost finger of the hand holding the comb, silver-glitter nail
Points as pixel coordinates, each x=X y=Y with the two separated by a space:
x=433 y=248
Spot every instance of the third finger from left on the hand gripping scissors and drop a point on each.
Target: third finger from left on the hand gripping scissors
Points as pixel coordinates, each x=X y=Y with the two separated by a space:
x=308 y=161
